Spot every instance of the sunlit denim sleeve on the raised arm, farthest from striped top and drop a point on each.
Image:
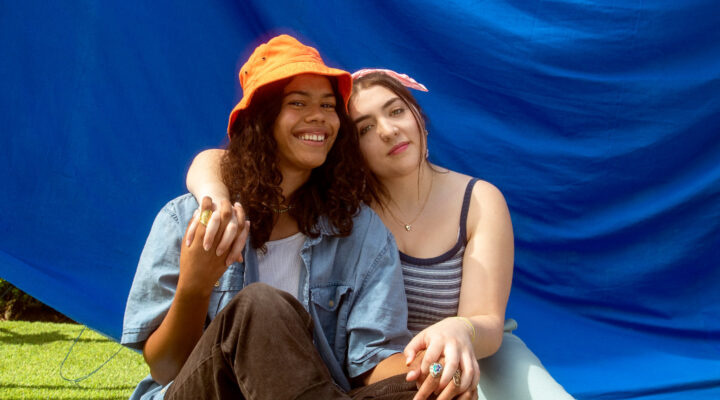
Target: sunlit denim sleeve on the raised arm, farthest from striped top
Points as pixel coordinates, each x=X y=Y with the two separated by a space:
x=155 y=280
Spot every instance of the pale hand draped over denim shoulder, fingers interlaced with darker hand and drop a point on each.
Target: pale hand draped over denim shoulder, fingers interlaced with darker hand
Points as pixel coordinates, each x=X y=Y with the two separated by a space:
x=235 y=233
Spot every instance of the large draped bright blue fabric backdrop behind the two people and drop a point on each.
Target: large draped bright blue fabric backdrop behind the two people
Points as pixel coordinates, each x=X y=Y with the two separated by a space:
x=599 y=120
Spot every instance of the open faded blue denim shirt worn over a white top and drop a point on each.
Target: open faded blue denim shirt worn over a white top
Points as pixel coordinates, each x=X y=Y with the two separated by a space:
x=351 y=286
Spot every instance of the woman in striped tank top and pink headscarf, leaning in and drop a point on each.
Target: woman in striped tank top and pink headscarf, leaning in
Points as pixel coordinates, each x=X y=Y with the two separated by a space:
x=455 y=237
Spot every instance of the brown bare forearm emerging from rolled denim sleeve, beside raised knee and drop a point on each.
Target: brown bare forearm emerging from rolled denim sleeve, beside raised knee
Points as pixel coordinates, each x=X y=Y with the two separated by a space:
x=167 y=349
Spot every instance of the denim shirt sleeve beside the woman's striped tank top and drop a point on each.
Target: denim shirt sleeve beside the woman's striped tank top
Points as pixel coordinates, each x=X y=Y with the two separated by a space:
x=377 y=325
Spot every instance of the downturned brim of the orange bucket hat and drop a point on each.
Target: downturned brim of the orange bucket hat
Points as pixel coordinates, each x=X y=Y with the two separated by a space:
x=344 y=80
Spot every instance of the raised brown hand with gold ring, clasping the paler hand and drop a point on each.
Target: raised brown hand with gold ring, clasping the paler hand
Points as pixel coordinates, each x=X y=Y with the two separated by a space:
x=199 y=268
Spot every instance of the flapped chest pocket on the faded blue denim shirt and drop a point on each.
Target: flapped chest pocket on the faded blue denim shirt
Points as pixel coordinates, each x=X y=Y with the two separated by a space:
x=331 y=304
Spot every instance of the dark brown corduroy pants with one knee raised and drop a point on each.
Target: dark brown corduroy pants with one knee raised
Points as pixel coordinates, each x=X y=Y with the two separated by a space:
x=260 y=347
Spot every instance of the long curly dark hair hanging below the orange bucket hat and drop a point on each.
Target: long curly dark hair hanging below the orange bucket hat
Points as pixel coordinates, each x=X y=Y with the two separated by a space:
x=250 y=171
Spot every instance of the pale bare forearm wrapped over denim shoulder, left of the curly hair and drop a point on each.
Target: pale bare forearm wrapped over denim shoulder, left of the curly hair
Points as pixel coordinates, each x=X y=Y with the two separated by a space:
x=204 y=177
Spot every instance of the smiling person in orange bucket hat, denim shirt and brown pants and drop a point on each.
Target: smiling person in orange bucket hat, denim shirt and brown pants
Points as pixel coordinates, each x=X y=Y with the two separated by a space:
x=315 y=299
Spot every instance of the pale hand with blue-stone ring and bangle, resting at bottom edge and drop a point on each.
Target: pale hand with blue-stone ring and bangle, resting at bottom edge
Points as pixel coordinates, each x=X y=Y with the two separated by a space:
x=448 y=342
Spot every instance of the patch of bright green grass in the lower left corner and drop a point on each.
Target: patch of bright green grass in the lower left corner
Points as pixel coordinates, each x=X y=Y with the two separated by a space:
x=31 y=354
